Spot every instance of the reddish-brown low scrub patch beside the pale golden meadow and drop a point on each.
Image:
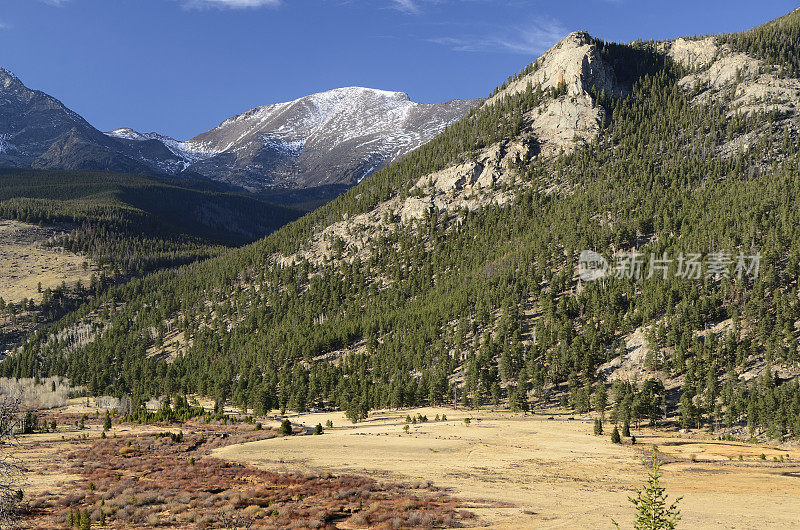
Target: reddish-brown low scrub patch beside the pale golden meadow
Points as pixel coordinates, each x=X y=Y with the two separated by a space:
x=168 y=481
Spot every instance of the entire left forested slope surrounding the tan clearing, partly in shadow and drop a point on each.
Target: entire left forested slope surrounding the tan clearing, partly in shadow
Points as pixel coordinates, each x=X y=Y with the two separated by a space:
x=124 y=225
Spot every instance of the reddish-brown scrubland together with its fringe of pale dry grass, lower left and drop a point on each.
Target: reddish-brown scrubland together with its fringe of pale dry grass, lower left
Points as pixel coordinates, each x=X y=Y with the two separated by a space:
x=162 y=476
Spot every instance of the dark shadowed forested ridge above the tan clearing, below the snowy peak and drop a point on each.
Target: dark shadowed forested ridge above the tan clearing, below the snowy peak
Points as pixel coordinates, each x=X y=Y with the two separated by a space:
x=134 y=224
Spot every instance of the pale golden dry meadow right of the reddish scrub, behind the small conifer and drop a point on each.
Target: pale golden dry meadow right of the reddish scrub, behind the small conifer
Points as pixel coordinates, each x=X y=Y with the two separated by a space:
x=555 y=473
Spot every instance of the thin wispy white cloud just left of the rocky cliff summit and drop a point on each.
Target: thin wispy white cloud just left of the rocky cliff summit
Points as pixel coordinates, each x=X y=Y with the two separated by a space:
x=530 y=39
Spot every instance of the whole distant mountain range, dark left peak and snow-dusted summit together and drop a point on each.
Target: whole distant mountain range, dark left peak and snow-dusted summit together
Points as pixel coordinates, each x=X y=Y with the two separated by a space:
x=331 y=139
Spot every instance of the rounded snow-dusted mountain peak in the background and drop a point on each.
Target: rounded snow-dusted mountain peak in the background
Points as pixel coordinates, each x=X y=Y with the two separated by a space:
x=331 y=138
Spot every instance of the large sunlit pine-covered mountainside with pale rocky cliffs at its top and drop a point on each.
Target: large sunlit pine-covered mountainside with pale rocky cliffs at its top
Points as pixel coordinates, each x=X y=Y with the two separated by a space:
x=473 y=295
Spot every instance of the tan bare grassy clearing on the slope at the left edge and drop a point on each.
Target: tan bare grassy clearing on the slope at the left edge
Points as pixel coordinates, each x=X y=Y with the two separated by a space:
x=25 y=261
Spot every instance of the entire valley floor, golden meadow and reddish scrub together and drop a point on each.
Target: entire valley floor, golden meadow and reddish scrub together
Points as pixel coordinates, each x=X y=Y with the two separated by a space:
x=500 y=470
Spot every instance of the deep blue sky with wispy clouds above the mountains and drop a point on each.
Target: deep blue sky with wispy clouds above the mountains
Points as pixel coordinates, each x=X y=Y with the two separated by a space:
x=179 y=67
